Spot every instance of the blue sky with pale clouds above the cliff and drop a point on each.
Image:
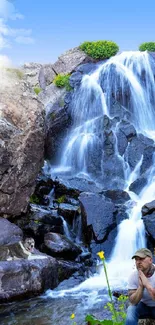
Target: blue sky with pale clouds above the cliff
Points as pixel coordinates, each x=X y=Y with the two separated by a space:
x=40 y=31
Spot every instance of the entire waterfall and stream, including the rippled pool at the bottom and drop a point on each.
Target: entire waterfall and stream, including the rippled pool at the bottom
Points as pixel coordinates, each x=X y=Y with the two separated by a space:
x=128 y=71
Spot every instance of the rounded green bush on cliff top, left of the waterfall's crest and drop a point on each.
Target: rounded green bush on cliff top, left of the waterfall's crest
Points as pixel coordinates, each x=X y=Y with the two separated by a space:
x=100 y=49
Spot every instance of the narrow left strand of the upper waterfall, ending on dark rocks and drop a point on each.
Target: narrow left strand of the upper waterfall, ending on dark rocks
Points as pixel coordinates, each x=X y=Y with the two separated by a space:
x=88 y=108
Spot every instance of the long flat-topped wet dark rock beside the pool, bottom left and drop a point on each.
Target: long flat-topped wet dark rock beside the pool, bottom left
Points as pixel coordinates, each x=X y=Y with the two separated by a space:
x=25 y=278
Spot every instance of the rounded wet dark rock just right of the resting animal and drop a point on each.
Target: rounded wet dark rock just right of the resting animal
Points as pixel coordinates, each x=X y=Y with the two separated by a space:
x=58 y=245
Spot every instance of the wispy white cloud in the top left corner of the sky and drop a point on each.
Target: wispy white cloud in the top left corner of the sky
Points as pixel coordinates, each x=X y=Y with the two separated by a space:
x=7 y=34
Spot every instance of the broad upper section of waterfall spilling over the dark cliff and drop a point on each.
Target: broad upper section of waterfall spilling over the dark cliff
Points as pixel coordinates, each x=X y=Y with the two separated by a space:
x=128 y=76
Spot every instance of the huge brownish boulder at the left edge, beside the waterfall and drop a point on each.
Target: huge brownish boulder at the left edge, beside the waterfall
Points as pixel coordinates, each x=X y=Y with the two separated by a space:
x=21 y=142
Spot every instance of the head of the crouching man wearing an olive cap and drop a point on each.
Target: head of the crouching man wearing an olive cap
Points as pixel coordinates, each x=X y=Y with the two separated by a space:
x=143 y=259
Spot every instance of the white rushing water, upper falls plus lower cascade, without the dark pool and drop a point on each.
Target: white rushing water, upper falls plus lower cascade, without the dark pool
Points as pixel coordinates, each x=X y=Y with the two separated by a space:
x=89 y=106
